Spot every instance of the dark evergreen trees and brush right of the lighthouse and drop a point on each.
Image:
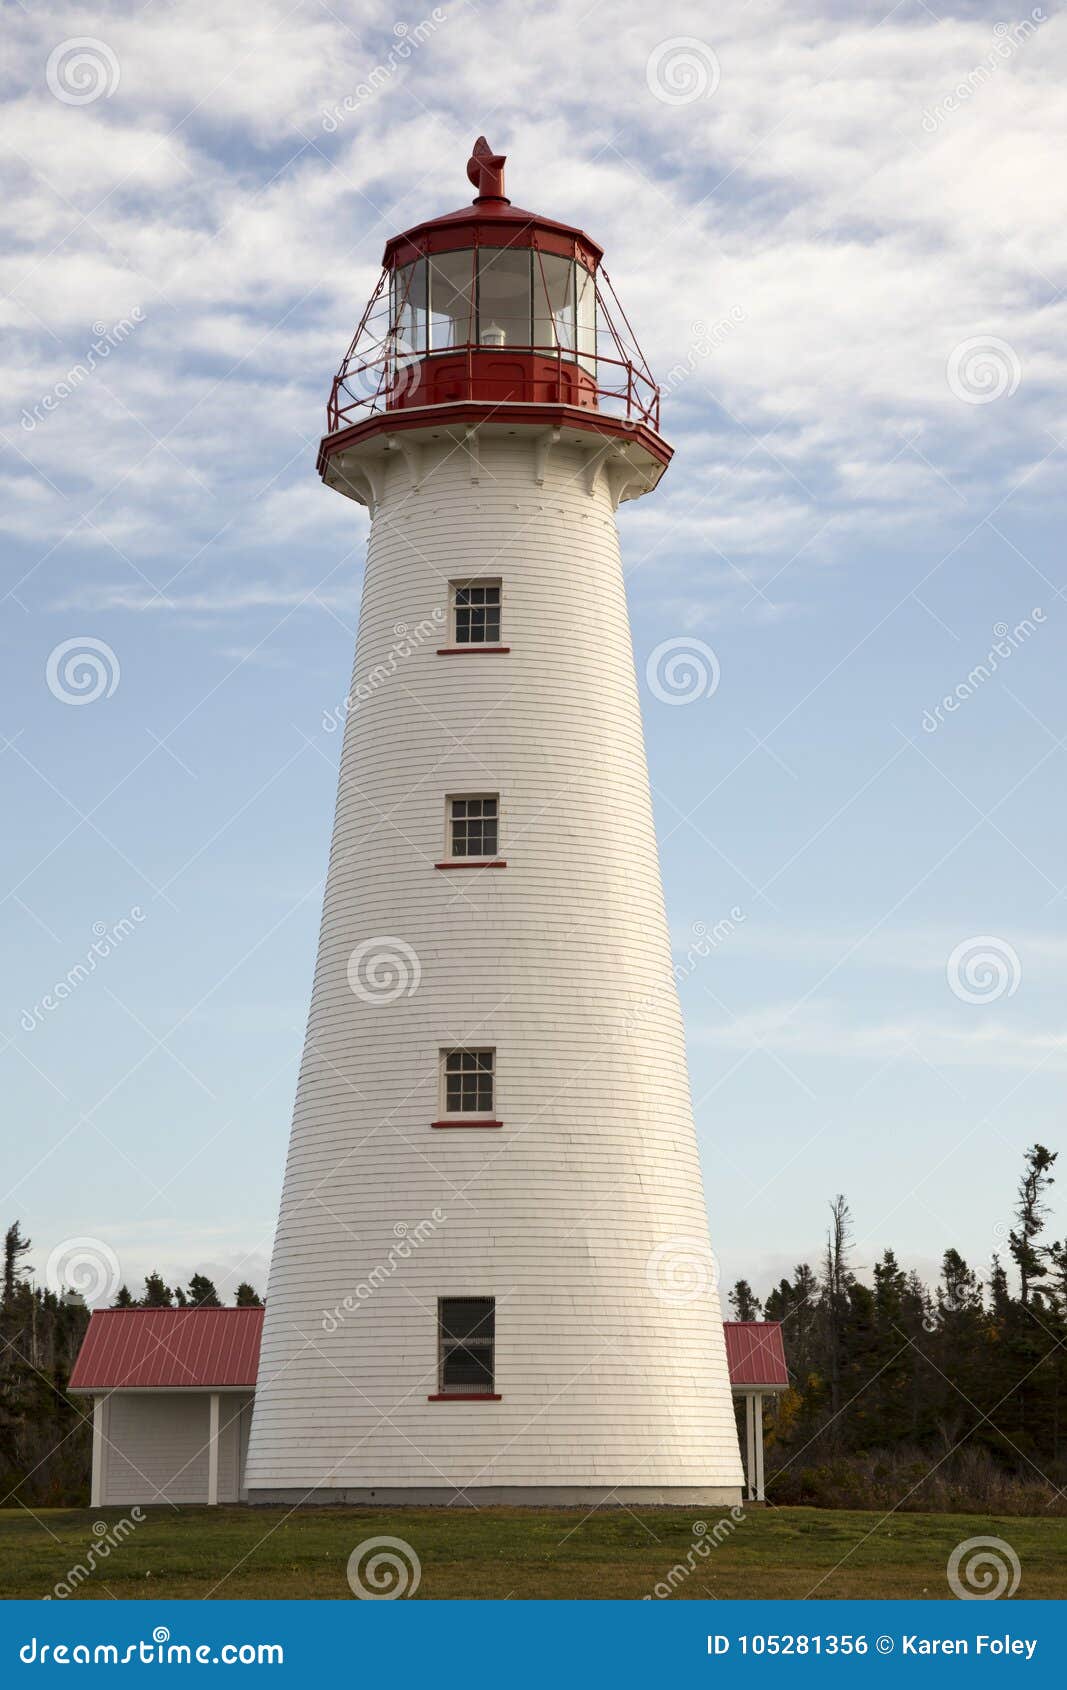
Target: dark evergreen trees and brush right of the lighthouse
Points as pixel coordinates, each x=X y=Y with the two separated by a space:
x=924 y=1397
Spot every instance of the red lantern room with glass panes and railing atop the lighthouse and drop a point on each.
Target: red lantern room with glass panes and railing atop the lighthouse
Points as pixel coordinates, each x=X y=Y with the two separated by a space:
x=486 y=308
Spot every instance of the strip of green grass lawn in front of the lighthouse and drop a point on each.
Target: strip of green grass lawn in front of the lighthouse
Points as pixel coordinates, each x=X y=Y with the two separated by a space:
x=522 y=1554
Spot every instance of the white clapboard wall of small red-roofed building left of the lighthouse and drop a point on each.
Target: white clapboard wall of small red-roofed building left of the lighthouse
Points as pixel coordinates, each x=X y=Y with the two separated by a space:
x=156 y=1446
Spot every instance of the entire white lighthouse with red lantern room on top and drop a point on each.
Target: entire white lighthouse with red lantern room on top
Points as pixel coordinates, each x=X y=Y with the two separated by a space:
x=493 y=1277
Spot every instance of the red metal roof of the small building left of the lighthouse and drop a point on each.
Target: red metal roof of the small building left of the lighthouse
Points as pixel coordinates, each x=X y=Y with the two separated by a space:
x=168 y=1348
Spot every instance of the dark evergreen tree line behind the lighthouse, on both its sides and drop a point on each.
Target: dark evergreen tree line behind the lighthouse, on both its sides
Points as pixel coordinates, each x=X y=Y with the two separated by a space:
x=902 y=1395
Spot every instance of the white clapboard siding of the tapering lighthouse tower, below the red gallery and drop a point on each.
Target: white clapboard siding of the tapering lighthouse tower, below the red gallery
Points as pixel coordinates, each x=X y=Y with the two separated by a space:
x=562 y=964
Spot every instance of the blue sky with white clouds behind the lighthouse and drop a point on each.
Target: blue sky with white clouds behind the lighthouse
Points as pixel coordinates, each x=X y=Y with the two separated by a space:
x=840 y=236
